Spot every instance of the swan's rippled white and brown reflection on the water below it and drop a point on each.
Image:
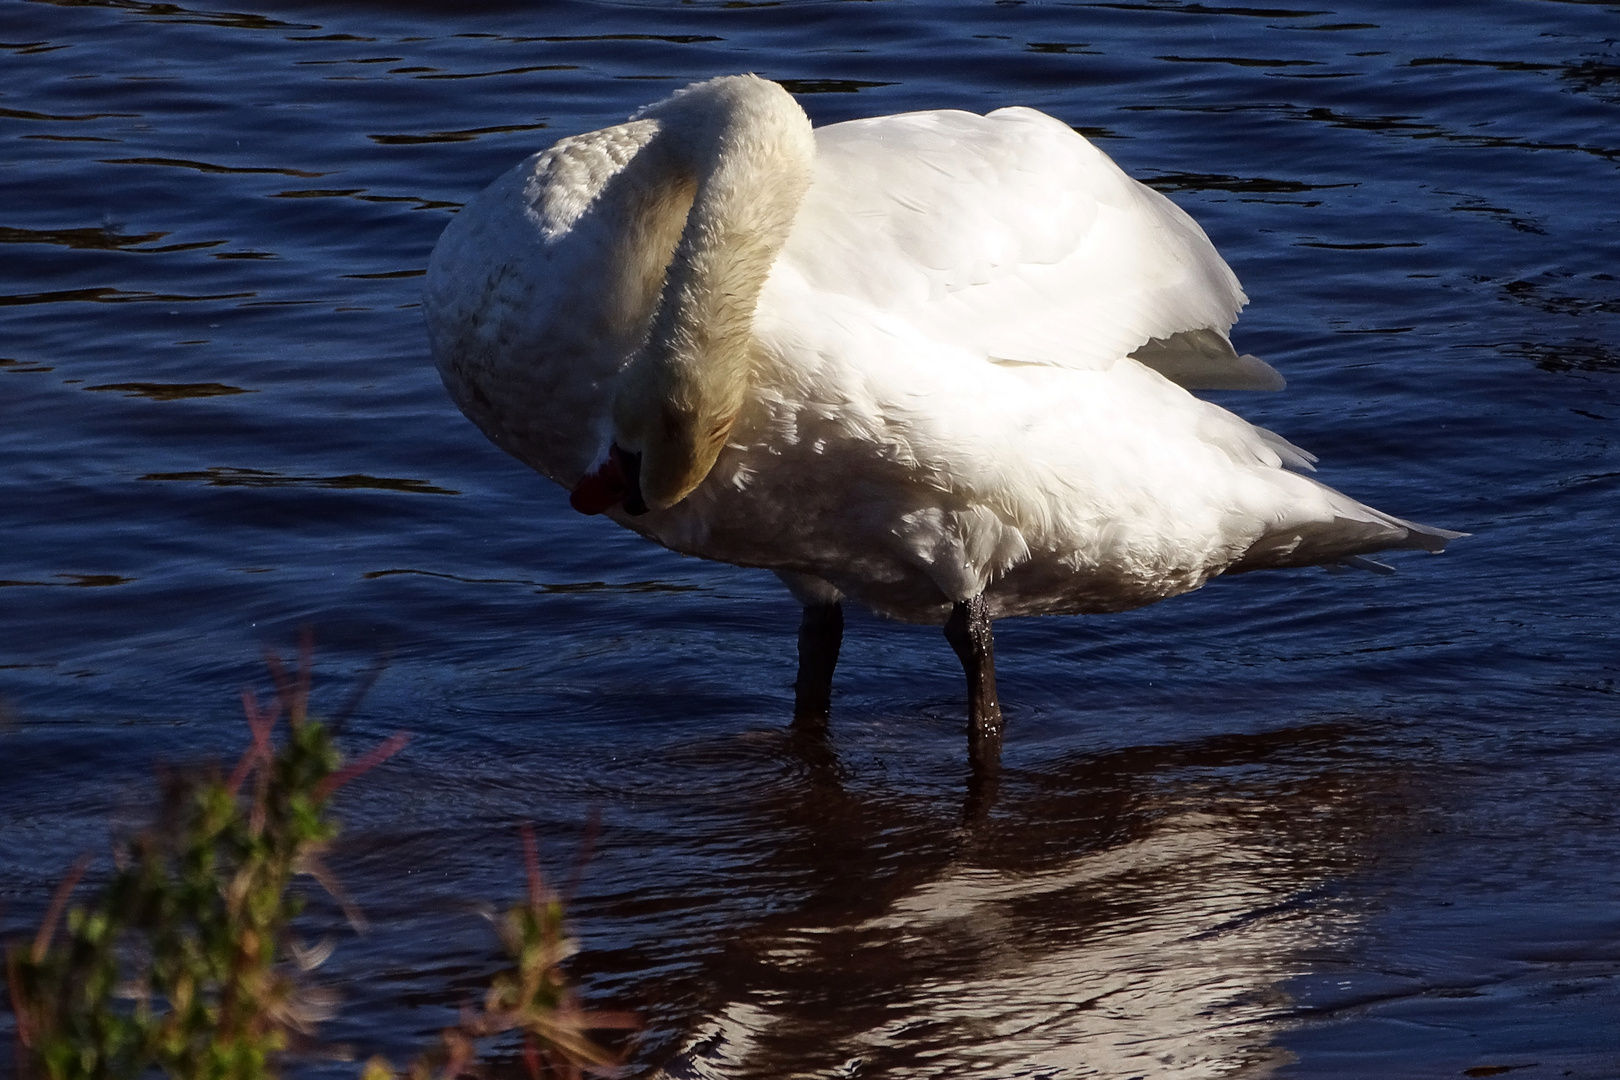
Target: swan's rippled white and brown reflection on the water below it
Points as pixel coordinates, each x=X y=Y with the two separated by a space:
x=1106 y=919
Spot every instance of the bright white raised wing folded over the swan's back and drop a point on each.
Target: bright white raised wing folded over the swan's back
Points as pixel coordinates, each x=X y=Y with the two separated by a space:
x=1013 y=237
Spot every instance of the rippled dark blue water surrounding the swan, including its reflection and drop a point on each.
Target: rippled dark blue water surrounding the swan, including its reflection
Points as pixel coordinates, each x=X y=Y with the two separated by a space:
x=1297 y=823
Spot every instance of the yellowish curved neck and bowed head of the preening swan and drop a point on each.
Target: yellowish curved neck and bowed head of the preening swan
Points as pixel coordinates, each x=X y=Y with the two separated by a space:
x=748 y=148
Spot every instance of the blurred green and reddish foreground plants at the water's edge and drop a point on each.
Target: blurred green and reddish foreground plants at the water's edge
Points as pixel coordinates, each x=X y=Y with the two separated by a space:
x=189 y=961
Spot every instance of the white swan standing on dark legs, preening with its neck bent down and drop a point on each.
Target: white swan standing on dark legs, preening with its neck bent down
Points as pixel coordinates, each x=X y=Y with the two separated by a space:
x=934 y=364
